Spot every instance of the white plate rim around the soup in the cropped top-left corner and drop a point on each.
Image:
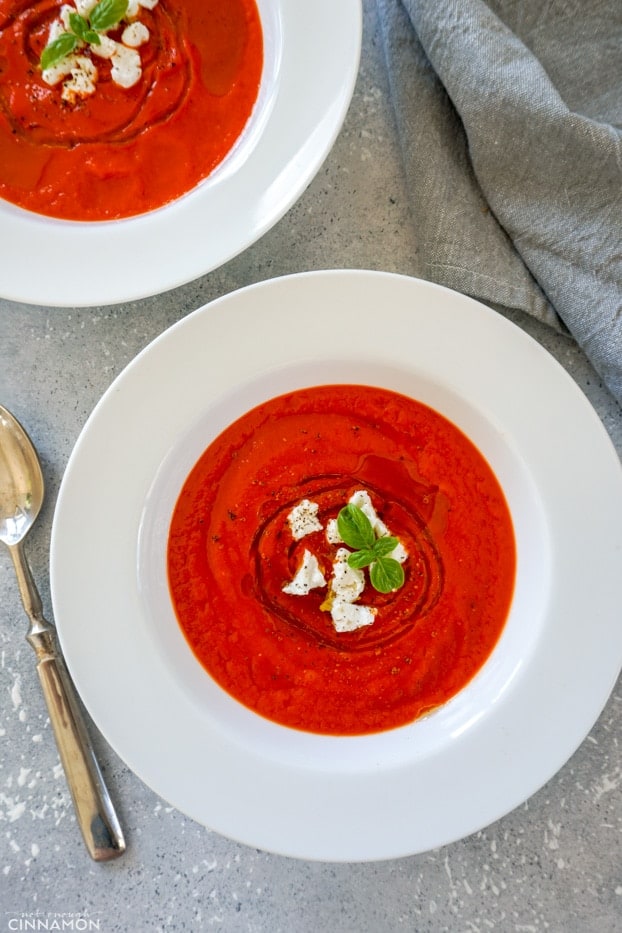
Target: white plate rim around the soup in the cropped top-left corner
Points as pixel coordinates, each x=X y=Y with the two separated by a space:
x=311 y=53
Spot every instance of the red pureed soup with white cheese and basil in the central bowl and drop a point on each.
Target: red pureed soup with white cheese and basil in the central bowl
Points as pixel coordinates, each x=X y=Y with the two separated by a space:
x=341 y=559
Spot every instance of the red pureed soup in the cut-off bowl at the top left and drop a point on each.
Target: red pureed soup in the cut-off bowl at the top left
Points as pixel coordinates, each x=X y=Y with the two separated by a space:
x=130 y=120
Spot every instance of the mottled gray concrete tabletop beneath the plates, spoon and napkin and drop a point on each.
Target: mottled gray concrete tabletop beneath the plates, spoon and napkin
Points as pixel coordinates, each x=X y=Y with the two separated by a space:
x=554 y=864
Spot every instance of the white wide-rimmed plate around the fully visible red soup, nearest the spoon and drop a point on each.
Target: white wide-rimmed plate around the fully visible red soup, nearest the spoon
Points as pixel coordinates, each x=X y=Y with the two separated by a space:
x=319 y=797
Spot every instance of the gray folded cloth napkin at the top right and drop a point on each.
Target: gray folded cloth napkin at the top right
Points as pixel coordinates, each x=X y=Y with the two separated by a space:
x=510 y=120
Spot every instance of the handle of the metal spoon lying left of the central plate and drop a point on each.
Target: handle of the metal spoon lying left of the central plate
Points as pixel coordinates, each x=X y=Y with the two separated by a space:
x=95 y=813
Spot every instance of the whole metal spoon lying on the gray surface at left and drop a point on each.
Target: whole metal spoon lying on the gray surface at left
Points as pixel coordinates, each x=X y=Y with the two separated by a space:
x=21 y=496
